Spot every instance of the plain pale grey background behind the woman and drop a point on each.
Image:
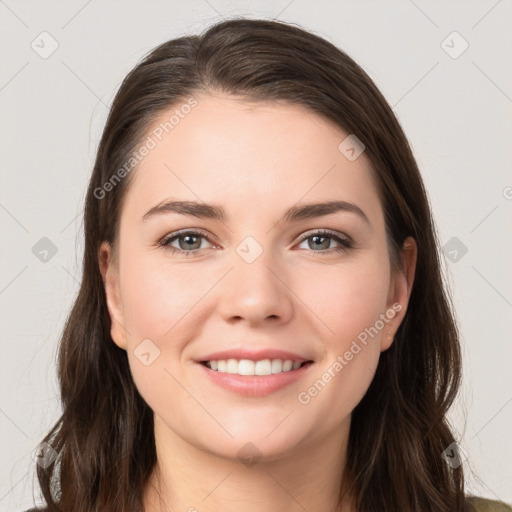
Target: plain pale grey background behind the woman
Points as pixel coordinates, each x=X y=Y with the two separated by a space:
x=455 y=111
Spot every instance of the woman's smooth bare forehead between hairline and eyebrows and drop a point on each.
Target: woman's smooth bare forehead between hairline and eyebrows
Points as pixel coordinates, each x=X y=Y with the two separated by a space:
x=250 y=157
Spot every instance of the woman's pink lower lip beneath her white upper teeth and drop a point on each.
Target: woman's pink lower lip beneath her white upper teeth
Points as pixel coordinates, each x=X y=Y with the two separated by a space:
x=254 y=385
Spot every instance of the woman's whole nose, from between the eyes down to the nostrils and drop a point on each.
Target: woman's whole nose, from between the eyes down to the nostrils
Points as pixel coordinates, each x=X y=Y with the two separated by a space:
x=254 y=289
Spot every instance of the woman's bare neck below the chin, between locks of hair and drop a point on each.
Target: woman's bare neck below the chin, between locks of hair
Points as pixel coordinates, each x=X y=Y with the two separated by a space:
x=187 y=478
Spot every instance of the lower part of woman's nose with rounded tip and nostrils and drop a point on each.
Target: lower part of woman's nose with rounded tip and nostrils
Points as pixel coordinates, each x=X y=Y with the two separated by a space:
x=256 y=293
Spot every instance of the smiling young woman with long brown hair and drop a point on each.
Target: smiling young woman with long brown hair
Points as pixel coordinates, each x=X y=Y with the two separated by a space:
x=262 y=323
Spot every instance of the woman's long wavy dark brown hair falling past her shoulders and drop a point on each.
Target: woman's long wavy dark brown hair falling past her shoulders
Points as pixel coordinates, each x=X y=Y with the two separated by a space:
x=104 y=438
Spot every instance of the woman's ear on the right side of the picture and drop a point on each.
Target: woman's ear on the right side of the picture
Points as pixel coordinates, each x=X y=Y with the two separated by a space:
x=399 y=292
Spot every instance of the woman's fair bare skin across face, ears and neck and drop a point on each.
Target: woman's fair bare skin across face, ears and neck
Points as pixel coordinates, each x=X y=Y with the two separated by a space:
x=255 y=160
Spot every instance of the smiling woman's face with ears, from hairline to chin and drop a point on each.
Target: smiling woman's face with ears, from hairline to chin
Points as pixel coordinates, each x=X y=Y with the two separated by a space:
x=257 y=280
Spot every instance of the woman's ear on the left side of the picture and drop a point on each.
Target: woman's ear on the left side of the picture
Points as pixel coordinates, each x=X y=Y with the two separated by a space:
x=110 y=275
